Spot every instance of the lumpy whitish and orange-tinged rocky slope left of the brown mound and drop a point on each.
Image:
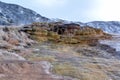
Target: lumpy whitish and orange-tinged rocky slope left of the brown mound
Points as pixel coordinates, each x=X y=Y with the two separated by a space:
x=11 y=42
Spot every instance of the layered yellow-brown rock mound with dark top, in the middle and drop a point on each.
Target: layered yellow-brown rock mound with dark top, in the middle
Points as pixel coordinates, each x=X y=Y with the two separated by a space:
x=65 y=33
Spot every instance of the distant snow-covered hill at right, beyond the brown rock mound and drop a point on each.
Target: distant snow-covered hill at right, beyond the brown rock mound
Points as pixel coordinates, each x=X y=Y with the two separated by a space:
x=109 y=27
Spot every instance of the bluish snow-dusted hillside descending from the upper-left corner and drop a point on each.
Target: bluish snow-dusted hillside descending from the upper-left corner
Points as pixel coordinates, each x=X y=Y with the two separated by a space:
x=17 y=15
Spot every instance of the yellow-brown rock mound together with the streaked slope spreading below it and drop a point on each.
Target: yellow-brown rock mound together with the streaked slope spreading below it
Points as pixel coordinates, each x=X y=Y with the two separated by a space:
x=78 y=60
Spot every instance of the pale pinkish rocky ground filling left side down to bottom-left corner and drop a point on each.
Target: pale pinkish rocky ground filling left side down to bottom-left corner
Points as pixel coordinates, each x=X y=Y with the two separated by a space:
x=14 y=45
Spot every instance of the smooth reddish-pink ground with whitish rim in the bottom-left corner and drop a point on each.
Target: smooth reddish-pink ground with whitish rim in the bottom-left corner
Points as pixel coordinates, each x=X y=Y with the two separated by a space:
x=25 y=70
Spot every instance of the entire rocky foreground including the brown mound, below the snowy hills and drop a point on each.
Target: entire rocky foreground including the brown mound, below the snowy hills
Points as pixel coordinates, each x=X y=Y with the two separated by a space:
x=52 y=56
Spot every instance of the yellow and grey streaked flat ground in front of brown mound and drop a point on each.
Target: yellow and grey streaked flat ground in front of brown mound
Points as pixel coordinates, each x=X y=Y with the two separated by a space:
x=81 y=62
